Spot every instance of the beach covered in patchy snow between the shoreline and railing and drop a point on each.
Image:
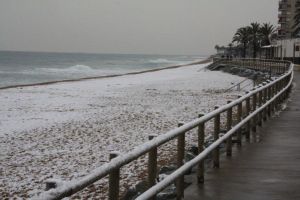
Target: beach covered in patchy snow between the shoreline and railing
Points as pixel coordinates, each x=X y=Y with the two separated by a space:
x=66 y=130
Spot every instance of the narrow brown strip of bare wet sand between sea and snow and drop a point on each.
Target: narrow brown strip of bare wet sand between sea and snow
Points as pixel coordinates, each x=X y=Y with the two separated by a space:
x=206 y=60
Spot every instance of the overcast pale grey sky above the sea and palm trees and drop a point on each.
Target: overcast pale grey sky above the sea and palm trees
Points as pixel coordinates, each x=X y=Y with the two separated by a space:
x=127 y=26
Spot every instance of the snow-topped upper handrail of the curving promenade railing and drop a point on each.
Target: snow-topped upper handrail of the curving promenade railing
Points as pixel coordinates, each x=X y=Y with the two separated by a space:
x=69 y=188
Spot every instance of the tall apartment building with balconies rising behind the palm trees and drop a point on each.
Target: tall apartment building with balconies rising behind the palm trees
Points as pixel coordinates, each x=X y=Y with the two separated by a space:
x=287 y=12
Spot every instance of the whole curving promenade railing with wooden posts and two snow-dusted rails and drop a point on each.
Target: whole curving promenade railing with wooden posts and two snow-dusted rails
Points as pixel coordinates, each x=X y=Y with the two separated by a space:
x=260 y=103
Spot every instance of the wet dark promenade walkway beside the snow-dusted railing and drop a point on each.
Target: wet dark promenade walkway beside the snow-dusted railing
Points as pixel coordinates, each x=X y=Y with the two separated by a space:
x=269 y=169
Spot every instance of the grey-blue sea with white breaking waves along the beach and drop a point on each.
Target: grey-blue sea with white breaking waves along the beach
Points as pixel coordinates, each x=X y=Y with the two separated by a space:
x=19 y=68
